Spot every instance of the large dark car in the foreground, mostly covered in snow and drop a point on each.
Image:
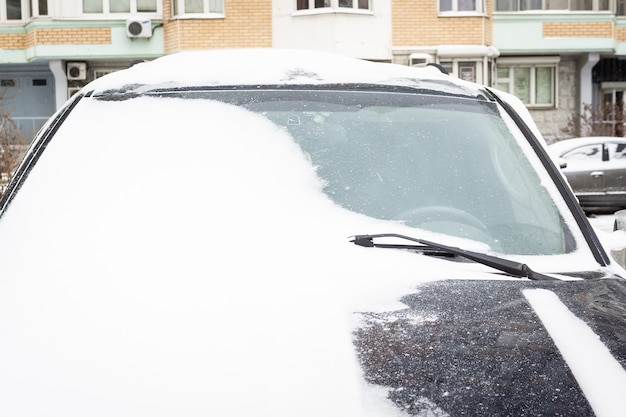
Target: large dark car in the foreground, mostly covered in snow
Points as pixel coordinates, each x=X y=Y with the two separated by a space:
x=289 y=233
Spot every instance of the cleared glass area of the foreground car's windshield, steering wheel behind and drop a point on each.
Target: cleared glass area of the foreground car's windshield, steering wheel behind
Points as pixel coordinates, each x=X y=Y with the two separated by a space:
x=440 y=163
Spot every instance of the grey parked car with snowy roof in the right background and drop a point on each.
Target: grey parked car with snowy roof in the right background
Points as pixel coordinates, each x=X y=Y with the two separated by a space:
x=595 y=167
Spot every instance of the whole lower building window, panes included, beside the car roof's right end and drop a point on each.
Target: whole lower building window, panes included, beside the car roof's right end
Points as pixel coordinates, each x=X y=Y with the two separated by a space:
x=533 y=84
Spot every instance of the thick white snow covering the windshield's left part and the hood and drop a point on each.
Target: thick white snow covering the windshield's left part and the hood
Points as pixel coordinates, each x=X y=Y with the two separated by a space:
x=172 y=266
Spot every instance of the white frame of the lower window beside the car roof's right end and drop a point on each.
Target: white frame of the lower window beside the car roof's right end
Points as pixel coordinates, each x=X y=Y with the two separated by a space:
x=533 y=63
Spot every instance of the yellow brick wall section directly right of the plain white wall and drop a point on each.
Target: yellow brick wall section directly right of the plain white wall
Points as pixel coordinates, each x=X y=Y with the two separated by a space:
x=417 y=23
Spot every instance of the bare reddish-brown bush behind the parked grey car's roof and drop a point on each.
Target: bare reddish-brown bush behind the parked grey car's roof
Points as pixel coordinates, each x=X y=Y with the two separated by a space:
x=593 y=121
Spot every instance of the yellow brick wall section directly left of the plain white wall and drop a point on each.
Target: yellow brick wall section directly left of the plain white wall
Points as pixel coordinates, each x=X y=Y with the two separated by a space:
x=246 y=25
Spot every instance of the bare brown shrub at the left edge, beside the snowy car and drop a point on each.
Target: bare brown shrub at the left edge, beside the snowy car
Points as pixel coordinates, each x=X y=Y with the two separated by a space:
x=11 y=148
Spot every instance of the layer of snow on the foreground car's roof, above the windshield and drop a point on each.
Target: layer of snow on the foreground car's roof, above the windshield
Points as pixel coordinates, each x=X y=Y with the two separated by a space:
x=275 y=67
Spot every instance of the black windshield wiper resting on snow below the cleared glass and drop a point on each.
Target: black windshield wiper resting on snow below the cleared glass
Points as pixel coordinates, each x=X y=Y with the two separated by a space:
x=514 y=268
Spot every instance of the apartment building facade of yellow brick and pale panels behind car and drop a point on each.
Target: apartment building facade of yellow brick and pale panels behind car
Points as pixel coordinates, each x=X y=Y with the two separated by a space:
x=555 y=60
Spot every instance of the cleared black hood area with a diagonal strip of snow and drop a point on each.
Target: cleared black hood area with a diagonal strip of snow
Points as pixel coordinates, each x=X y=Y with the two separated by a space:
x=498 y=350
